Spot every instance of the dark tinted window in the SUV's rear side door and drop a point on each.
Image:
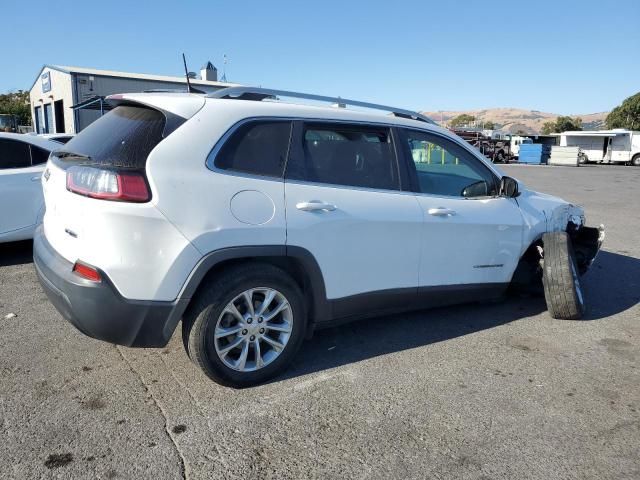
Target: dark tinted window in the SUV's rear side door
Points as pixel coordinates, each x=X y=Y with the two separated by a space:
x=344 y=154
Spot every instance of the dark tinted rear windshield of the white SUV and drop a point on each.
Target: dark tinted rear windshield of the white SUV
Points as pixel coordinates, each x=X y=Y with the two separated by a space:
x=122 y=138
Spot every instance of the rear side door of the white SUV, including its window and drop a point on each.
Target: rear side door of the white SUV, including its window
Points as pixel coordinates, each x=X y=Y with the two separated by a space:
x=345 y=205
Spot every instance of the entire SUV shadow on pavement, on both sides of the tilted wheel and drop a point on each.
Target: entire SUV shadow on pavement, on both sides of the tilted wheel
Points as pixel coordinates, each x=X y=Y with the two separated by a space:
x=612 y=287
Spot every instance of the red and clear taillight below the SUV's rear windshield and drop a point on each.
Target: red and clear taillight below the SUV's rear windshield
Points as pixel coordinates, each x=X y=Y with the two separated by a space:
x=108 y=184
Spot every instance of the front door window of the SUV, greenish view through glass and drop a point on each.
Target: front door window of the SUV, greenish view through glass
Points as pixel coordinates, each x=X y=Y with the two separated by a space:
x=444 y=168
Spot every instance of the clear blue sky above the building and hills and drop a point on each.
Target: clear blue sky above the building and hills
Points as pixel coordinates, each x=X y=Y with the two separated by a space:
x=558 y=56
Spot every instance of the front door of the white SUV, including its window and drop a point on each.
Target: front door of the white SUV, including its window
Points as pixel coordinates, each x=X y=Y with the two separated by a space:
x=471 y=236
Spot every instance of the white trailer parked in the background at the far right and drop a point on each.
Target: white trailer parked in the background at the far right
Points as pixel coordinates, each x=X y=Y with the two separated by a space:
x=606 y=146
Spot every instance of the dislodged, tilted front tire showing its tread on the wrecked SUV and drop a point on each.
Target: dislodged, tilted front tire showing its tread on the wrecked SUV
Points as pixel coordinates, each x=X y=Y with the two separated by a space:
x=562 y=289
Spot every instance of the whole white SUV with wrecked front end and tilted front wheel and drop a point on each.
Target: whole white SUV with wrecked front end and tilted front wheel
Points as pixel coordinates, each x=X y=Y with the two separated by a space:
x=257 y=221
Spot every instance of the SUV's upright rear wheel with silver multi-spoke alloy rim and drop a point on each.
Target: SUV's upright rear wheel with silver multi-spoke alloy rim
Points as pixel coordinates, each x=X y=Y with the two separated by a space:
x=209 y=316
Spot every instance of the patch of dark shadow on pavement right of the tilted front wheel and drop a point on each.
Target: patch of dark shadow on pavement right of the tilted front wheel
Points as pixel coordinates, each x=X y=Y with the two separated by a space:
x=612 y=285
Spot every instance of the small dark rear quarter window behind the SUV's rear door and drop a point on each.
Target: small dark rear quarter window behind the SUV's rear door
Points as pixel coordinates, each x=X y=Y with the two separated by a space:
x=257 y=147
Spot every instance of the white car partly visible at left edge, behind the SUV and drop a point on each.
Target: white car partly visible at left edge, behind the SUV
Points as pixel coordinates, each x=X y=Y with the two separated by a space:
x=22 y=161
